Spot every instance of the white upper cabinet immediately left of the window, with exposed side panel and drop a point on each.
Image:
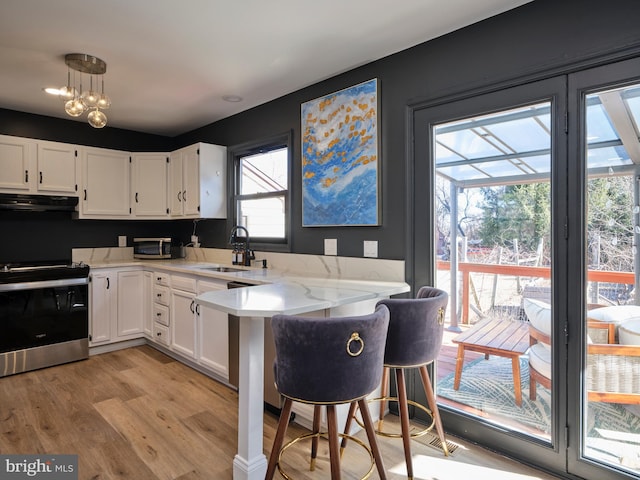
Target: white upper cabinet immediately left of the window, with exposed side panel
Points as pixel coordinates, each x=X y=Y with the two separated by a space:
x=197 y=182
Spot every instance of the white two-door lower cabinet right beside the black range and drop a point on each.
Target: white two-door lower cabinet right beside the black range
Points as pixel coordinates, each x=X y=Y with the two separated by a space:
x=117 y=305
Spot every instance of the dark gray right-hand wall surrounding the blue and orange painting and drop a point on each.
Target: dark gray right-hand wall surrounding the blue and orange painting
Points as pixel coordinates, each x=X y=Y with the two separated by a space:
x=540 y=39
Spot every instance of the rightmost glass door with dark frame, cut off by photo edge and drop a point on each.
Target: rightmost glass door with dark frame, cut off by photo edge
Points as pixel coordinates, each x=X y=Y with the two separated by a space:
x=606 y=428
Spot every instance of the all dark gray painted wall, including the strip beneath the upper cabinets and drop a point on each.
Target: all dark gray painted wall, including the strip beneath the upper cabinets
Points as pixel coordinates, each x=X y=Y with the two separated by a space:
x=540 y=39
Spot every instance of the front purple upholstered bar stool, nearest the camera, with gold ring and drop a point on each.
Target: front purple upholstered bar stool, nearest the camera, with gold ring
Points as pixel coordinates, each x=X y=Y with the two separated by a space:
x=328 y=361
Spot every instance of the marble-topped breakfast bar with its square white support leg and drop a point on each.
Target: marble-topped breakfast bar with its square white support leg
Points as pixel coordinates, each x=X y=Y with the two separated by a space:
x=253 y=305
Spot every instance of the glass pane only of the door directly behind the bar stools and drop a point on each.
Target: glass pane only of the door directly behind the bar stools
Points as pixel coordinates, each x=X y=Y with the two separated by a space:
x=493 y=227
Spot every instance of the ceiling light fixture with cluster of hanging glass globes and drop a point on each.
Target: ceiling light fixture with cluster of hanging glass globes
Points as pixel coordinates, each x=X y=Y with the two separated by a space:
x=76 y=102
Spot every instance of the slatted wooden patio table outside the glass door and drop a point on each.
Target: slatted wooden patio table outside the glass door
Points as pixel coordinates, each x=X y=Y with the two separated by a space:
x=503 y=338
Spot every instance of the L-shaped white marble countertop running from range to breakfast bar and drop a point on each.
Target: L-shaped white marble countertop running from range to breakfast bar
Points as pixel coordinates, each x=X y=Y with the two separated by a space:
x=272 y=292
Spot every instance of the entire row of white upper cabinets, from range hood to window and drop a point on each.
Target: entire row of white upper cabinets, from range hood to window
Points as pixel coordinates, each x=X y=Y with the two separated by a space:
x=111 y=184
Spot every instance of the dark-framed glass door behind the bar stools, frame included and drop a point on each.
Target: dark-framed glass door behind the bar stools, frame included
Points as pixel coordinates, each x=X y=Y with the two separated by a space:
x=495 y=165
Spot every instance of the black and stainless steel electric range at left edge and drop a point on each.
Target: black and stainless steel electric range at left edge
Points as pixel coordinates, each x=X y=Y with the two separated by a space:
x=44 y=315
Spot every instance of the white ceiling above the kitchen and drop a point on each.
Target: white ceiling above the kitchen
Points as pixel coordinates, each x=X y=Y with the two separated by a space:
x=169 y=63
